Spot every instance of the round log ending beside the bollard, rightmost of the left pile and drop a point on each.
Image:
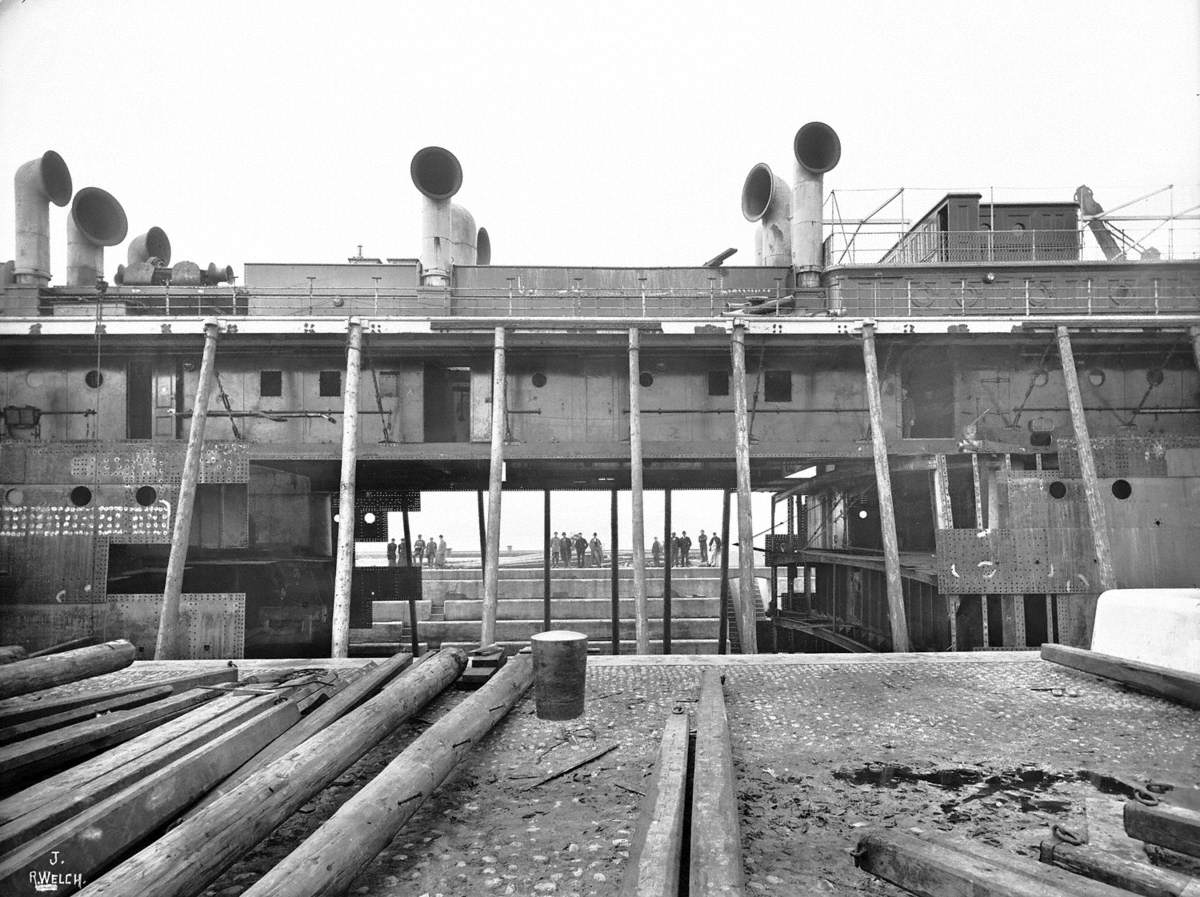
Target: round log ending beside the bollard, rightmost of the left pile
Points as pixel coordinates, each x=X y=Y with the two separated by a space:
x=368 y=822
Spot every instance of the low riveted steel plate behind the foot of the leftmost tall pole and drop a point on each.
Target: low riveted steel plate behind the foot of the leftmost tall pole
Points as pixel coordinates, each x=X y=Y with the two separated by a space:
x=215 y=623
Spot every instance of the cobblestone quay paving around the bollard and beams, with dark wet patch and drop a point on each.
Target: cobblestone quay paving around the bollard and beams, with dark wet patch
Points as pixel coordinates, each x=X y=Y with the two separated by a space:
x=995 y=751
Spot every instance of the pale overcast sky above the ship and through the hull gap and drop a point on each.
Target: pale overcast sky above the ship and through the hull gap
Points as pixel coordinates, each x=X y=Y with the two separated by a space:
x=601 y=134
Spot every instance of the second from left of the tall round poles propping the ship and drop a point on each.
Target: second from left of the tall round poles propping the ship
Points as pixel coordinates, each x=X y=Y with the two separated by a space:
x=344 y=571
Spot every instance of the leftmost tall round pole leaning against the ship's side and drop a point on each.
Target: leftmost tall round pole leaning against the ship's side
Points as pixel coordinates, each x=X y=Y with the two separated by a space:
x=167 y=646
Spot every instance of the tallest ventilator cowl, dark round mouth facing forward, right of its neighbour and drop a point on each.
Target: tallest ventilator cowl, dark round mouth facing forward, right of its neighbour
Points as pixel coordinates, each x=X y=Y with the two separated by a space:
x=818 y=149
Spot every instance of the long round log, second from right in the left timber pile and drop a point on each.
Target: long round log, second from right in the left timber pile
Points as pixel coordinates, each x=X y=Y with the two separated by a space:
x=188 y=858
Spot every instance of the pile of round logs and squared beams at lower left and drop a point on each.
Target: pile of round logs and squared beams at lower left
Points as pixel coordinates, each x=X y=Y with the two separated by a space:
x=187 y=774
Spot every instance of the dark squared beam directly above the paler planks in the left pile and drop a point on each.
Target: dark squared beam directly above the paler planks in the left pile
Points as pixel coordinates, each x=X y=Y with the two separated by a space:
x=55 y=750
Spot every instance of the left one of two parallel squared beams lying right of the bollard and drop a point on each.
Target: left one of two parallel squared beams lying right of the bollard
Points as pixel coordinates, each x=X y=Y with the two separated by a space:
x=657 y=852
